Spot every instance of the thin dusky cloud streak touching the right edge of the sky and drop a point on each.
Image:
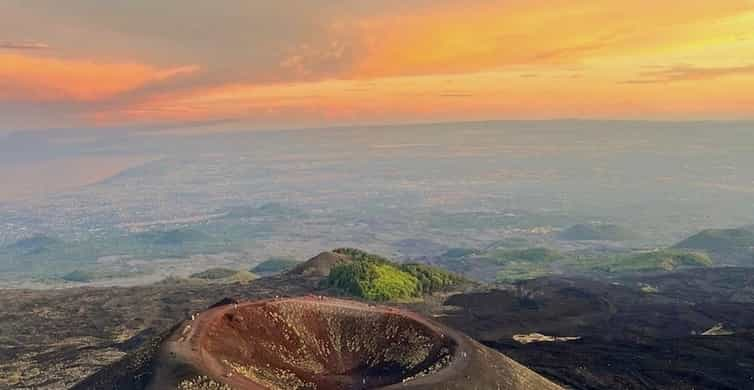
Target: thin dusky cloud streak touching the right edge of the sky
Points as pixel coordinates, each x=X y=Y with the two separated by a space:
x=690 y=73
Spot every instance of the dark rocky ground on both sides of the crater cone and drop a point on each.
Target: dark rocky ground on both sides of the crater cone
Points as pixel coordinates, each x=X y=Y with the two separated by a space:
x=631 y=336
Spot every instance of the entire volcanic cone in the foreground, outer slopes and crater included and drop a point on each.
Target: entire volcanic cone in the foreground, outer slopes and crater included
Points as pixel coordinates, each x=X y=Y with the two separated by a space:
x=309 y=343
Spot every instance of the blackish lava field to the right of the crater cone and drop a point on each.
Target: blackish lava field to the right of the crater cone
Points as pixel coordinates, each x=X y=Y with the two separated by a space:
x=629 y=338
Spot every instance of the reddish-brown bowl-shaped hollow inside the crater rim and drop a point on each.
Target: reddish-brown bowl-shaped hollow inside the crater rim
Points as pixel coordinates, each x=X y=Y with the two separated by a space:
x=313 y=344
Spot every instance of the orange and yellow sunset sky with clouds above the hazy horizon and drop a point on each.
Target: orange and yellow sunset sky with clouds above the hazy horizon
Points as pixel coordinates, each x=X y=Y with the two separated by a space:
x=320 y=62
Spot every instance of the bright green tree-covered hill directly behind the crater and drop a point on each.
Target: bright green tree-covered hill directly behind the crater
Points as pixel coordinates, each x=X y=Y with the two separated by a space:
x=376 y=278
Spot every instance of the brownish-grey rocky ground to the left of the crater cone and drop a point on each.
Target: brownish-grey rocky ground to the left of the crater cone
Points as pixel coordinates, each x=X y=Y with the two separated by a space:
x=52 y=339
